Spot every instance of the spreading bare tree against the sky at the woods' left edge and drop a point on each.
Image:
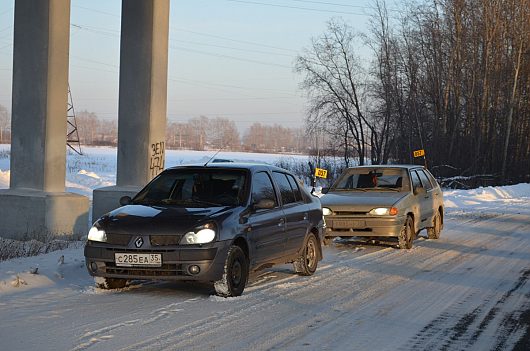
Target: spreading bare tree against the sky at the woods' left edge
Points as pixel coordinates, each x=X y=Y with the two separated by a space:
x=332 y=80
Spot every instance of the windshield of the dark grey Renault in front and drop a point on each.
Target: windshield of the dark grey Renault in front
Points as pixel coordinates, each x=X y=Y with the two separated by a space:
x=195 y=188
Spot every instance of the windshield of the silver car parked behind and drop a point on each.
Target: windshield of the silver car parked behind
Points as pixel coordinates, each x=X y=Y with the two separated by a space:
x=376 y=179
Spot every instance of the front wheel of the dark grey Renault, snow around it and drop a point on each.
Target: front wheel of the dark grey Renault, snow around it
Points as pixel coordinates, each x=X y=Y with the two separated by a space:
x=235 y=274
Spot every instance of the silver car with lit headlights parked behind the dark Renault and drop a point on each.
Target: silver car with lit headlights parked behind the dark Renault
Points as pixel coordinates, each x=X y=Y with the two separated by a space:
x=392 y=201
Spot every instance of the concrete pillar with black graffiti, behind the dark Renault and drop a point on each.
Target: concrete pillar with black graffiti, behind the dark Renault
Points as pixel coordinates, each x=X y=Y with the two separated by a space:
x=142 y=100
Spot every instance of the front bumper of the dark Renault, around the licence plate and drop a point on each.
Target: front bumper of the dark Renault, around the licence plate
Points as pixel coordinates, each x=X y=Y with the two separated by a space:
x=176 y=262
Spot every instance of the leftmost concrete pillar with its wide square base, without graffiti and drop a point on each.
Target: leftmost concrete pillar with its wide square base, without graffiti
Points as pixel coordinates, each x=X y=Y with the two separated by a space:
x=36 y=204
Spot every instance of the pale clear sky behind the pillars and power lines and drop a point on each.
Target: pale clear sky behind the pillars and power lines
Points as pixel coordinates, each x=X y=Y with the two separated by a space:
x=227 y=58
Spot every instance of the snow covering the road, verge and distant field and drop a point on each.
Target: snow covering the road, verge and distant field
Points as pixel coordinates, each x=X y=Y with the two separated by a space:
x=468 y=290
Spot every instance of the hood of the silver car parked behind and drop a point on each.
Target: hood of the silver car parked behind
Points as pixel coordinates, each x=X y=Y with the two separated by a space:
x=360 y=201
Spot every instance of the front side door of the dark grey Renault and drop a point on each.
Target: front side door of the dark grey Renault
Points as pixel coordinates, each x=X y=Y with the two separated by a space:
x=266 y=227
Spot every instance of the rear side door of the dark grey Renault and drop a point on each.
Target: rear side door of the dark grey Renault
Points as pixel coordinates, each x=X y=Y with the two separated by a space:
x=295 y=209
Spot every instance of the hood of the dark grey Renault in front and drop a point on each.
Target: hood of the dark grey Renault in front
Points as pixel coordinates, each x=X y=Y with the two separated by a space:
x=159 y=220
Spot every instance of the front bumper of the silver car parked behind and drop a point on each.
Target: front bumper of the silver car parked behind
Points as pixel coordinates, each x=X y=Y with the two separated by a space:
x=349 y=226
